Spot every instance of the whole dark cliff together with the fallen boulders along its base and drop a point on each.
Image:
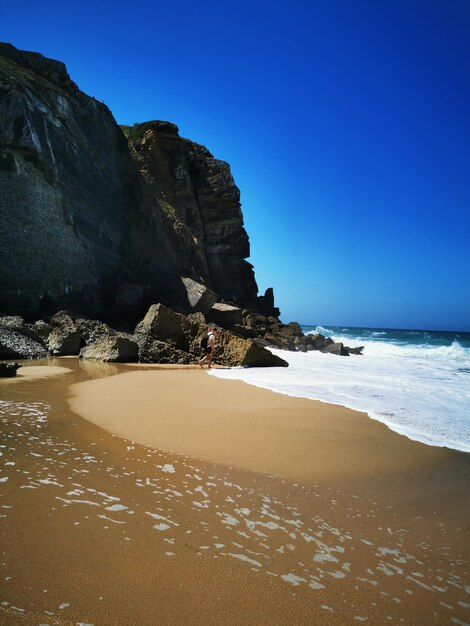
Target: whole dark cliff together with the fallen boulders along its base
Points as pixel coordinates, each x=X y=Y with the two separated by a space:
x=116 y=222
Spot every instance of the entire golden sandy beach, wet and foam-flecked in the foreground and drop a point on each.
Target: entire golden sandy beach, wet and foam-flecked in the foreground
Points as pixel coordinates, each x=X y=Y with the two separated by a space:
x=243 y=506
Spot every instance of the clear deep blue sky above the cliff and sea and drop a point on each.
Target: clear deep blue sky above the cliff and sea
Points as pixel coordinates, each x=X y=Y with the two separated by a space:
x=346 y=124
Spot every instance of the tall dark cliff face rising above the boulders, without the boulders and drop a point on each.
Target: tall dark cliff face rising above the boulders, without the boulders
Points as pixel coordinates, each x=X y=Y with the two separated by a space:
x=87 y=208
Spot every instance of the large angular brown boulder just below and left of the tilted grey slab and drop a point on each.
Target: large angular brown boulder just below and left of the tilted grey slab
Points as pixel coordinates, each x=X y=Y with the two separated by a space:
x=164 y=324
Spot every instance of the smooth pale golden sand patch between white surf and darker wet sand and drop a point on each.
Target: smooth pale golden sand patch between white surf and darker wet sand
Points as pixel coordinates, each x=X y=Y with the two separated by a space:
x=236 y=424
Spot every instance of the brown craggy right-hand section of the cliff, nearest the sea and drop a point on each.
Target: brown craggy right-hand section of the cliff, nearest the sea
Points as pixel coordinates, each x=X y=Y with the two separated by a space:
x=199 y=197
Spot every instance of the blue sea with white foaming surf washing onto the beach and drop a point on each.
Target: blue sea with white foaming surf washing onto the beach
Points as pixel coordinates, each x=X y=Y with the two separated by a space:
x=416 y=382
